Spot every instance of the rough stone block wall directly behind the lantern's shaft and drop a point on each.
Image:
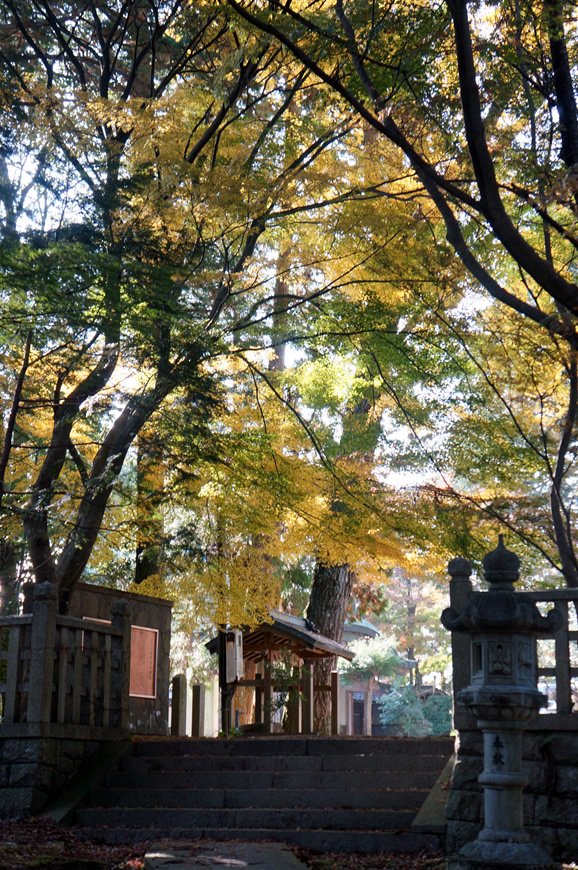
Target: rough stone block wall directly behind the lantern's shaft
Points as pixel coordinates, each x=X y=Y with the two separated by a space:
x=550 y=761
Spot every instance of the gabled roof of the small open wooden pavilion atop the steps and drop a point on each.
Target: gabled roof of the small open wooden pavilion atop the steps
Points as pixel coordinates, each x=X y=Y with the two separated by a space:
x=287 y=632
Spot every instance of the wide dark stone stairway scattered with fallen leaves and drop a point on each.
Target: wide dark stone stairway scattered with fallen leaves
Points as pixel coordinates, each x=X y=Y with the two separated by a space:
x=327 y=794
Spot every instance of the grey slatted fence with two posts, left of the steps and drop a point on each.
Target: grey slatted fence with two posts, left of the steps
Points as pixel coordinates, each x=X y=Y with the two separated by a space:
x=59 y=670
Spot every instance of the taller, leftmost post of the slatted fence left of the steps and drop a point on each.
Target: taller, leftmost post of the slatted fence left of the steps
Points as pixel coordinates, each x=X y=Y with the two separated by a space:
x=42 y=652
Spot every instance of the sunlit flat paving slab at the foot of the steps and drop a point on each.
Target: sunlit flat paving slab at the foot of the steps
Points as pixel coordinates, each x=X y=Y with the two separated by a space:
x=205 y=853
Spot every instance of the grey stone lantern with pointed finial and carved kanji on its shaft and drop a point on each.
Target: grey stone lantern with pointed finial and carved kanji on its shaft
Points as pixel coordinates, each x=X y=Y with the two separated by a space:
x=503 y=626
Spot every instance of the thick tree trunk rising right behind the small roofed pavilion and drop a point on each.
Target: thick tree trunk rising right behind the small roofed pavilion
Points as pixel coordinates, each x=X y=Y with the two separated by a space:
x=330 y=595
